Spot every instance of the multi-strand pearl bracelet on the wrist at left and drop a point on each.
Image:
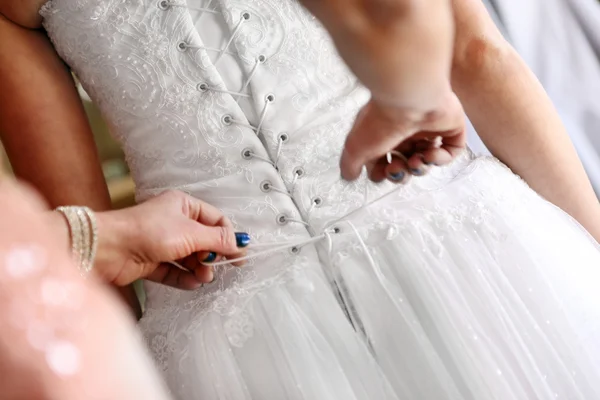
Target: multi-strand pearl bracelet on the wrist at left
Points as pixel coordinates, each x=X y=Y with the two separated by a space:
x=83 y=230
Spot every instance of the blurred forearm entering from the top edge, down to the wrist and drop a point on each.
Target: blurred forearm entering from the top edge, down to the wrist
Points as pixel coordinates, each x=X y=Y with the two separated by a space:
x=400 y=49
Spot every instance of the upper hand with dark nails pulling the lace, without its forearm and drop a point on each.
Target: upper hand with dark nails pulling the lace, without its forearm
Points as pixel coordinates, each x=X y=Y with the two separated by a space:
x=418 y=141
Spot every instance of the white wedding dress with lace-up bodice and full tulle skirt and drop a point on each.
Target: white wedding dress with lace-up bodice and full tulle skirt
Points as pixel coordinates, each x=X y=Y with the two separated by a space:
x=461 y=285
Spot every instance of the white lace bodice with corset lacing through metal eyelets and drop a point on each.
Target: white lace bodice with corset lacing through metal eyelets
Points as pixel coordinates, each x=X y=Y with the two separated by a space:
x=242 y=103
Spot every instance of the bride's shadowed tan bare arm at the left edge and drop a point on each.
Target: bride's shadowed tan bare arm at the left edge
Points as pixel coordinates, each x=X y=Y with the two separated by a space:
x=43 y=126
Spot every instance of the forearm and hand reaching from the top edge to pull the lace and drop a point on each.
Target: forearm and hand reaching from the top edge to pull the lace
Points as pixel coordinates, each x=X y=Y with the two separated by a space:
x=402 y=51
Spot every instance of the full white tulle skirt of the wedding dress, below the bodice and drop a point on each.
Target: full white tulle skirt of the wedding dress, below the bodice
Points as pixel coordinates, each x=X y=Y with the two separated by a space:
x=476 y=290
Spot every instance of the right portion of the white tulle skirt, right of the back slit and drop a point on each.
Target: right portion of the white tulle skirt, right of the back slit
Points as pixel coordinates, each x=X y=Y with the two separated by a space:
x=483 y=286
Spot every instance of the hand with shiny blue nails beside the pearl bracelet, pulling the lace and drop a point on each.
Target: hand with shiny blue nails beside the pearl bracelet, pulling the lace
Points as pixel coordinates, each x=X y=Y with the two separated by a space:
x=138 y=242
